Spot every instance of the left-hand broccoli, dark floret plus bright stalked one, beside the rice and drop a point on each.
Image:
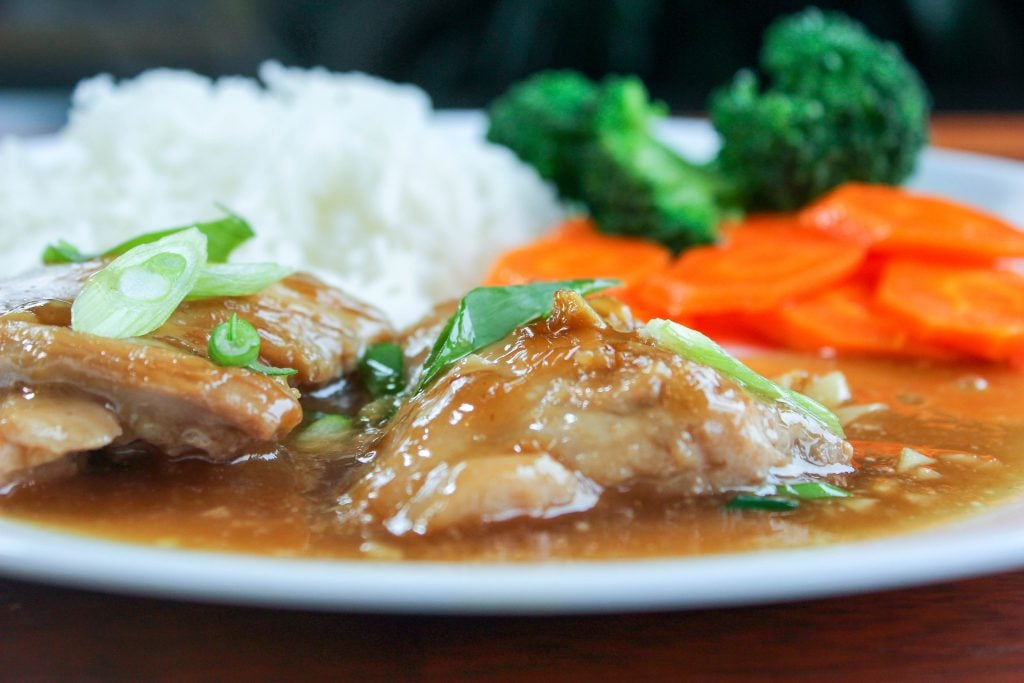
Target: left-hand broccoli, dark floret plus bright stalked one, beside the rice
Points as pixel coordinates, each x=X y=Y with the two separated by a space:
x=594 y=142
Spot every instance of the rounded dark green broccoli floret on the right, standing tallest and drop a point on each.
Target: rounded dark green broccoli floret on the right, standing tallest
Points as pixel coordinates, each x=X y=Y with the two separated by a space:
x=838 y=106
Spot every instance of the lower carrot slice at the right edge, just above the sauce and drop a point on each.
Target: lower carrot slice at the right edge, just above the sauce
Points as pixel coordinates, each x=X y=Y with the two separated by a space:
x=980 y=311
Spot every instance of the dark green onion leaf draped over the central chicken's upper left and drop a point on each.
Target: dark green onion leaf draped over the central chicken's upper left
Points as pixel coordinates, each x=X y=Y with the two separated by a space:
x=488 y=315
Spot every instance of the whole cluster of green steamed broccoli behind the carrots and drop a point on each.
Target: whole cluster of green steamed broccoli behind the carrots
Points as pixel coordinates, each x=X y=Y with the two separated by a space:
x=840 y=106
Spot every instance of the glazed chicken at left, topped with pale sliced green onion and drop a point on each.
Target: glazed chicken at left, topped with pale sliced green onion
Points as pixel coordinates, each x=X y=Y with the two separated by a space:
x=65 y=392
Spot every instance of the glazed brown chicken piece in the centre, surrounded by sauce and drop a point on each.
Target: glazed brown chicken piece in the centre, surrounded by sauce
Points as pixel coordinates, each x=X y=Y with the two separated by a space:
x=565 y=410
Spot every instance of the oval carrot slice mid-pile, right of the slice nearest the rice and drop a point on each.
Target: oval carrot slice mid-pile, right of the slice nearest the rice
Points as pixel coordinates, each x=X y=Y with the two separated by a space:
x=759 y=265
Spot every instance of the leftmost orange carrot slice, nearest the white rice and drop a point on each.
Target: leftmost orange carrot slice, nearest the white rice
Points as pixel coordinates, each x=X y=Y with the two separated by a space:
x=575 y=250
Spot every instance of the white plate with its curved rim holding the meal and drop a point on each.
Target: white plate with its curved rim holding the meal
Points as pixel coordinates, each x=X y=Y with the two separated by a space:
x=988 y=543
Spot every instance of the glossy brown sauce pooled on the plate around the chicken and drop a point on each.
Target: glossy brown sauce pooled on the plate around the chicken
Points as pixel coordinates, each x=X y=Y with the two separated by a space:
x=968 y=417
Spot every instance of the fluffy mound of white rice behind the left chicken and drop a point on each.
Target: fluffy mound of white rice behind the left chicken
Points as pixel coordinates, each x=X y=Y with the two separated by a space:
x=345 y=175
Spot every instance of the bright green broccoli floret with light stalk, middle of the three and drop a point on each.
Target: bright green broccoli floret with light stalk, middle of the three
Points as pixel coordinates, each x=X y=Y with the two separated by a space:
x=634 y=185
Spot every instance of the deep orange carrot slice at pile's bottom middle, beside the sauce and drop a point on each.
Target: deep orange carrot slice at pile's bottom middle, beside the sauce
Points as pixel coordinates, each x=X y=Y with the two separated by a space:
x=844 y=319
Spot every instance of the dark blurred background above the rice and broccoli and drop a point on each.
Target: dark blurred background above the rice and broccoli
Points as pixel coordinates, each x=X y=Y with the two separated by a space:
x=464 y=53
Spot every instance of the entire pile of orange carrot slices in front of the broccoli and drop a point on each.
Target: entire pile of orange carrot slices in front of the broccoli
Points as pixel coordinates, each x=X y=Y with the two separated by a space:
x=868 y=270
